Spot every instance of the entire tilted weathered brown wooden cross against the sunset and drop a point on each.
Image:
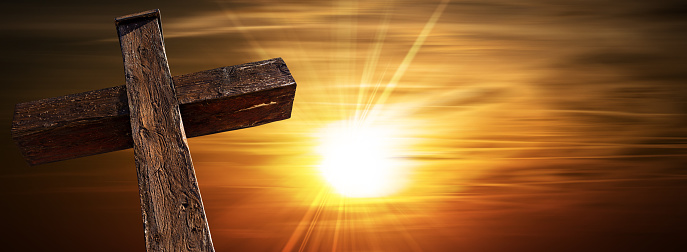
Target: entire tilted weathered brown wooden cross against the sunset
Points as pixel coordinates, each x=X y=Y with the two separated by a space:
x=146 y=114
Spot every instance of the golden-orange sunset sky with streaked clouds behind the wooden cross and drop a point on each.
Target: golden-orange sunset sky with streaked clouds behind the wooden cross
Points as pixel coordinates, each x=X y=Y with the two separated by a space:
x=502 y=125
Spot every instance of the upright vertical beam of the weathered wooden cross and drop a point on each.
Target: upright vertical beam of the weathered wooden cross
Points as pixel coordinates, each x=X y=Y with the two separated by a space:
x=173 y=213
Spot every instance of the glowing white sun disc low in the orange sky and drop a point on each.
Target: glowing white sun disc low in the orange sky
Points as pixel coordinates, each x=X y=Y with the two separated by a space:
x=357 y=161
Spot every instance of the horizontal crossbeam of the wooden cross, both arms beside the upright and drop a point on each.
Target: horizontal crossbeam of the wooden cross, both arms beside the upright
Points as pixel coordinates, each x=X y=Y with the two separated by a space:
x=211 y=101
